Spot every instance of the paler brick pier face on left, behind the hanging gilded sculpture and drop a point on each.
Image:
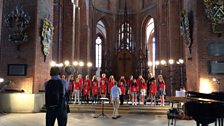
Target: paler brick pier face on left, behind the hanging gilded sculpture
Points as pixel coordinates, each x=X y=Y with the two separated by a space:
x=41 y=69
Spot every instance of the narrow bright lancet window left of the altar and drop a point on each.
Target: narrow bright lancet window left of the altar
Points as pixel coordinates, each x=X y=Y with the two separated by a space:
x=98 y=49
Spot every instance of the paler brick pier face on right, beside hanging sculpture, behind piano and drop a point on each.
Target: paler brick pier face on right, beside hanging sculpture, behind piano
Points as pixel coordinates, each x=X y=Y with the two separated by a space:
x=192 y=66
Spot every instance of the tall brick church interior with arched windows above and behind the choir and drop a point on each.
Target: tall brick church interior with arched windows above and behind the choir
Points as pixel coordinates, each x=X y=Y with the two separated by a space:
x=180 y=39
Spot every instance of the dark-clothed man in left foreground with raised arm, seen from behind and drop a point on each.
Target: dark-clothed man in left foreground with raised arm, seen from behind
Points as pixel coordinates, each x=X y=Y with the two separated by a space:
x=58 y=111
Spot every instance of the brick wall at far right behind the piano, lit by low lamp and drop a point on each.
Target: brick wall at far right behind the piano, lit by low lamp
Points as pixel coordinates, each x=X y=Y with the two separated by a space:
x=198 y=76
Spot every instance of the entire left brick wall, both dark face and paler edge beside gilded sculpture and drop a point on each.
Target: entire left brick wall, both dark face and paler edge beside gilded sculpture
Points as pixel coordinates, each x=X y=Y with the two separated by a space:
x=30 y=52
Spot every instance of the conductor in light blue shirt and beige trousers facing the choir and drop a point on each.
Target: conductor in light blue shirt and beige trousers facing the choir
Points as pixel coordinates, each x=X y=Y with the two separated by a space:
x=115 y=93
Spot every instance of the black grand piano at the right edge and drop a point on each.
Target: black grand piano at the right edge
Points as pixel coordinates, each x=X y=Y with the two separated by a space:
x=205 y=108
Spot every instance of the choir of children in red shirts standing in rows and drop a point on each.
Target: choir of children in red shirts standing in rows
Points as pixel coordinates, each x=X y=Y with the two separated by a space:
x=136 y=91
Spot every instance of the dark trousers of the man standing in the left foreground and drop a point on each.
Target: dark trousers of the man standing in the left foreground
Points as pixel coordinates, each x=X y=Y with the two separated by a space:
x=59 y=113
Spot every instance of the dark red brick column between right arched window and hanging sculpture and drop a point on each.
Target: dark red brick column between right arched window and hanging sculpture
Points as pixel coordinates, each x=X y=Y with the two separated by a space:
x=175 y=46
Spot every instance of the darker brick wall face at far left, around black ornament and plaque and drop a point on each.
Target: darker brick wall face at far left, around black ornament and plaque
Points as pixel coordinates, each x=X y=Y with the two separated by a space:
x=23 y=54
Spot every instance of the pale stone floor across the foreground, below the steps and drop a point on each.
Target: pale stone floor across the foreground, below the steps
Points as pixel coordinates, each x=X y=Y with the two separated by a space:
x=86 y=119
